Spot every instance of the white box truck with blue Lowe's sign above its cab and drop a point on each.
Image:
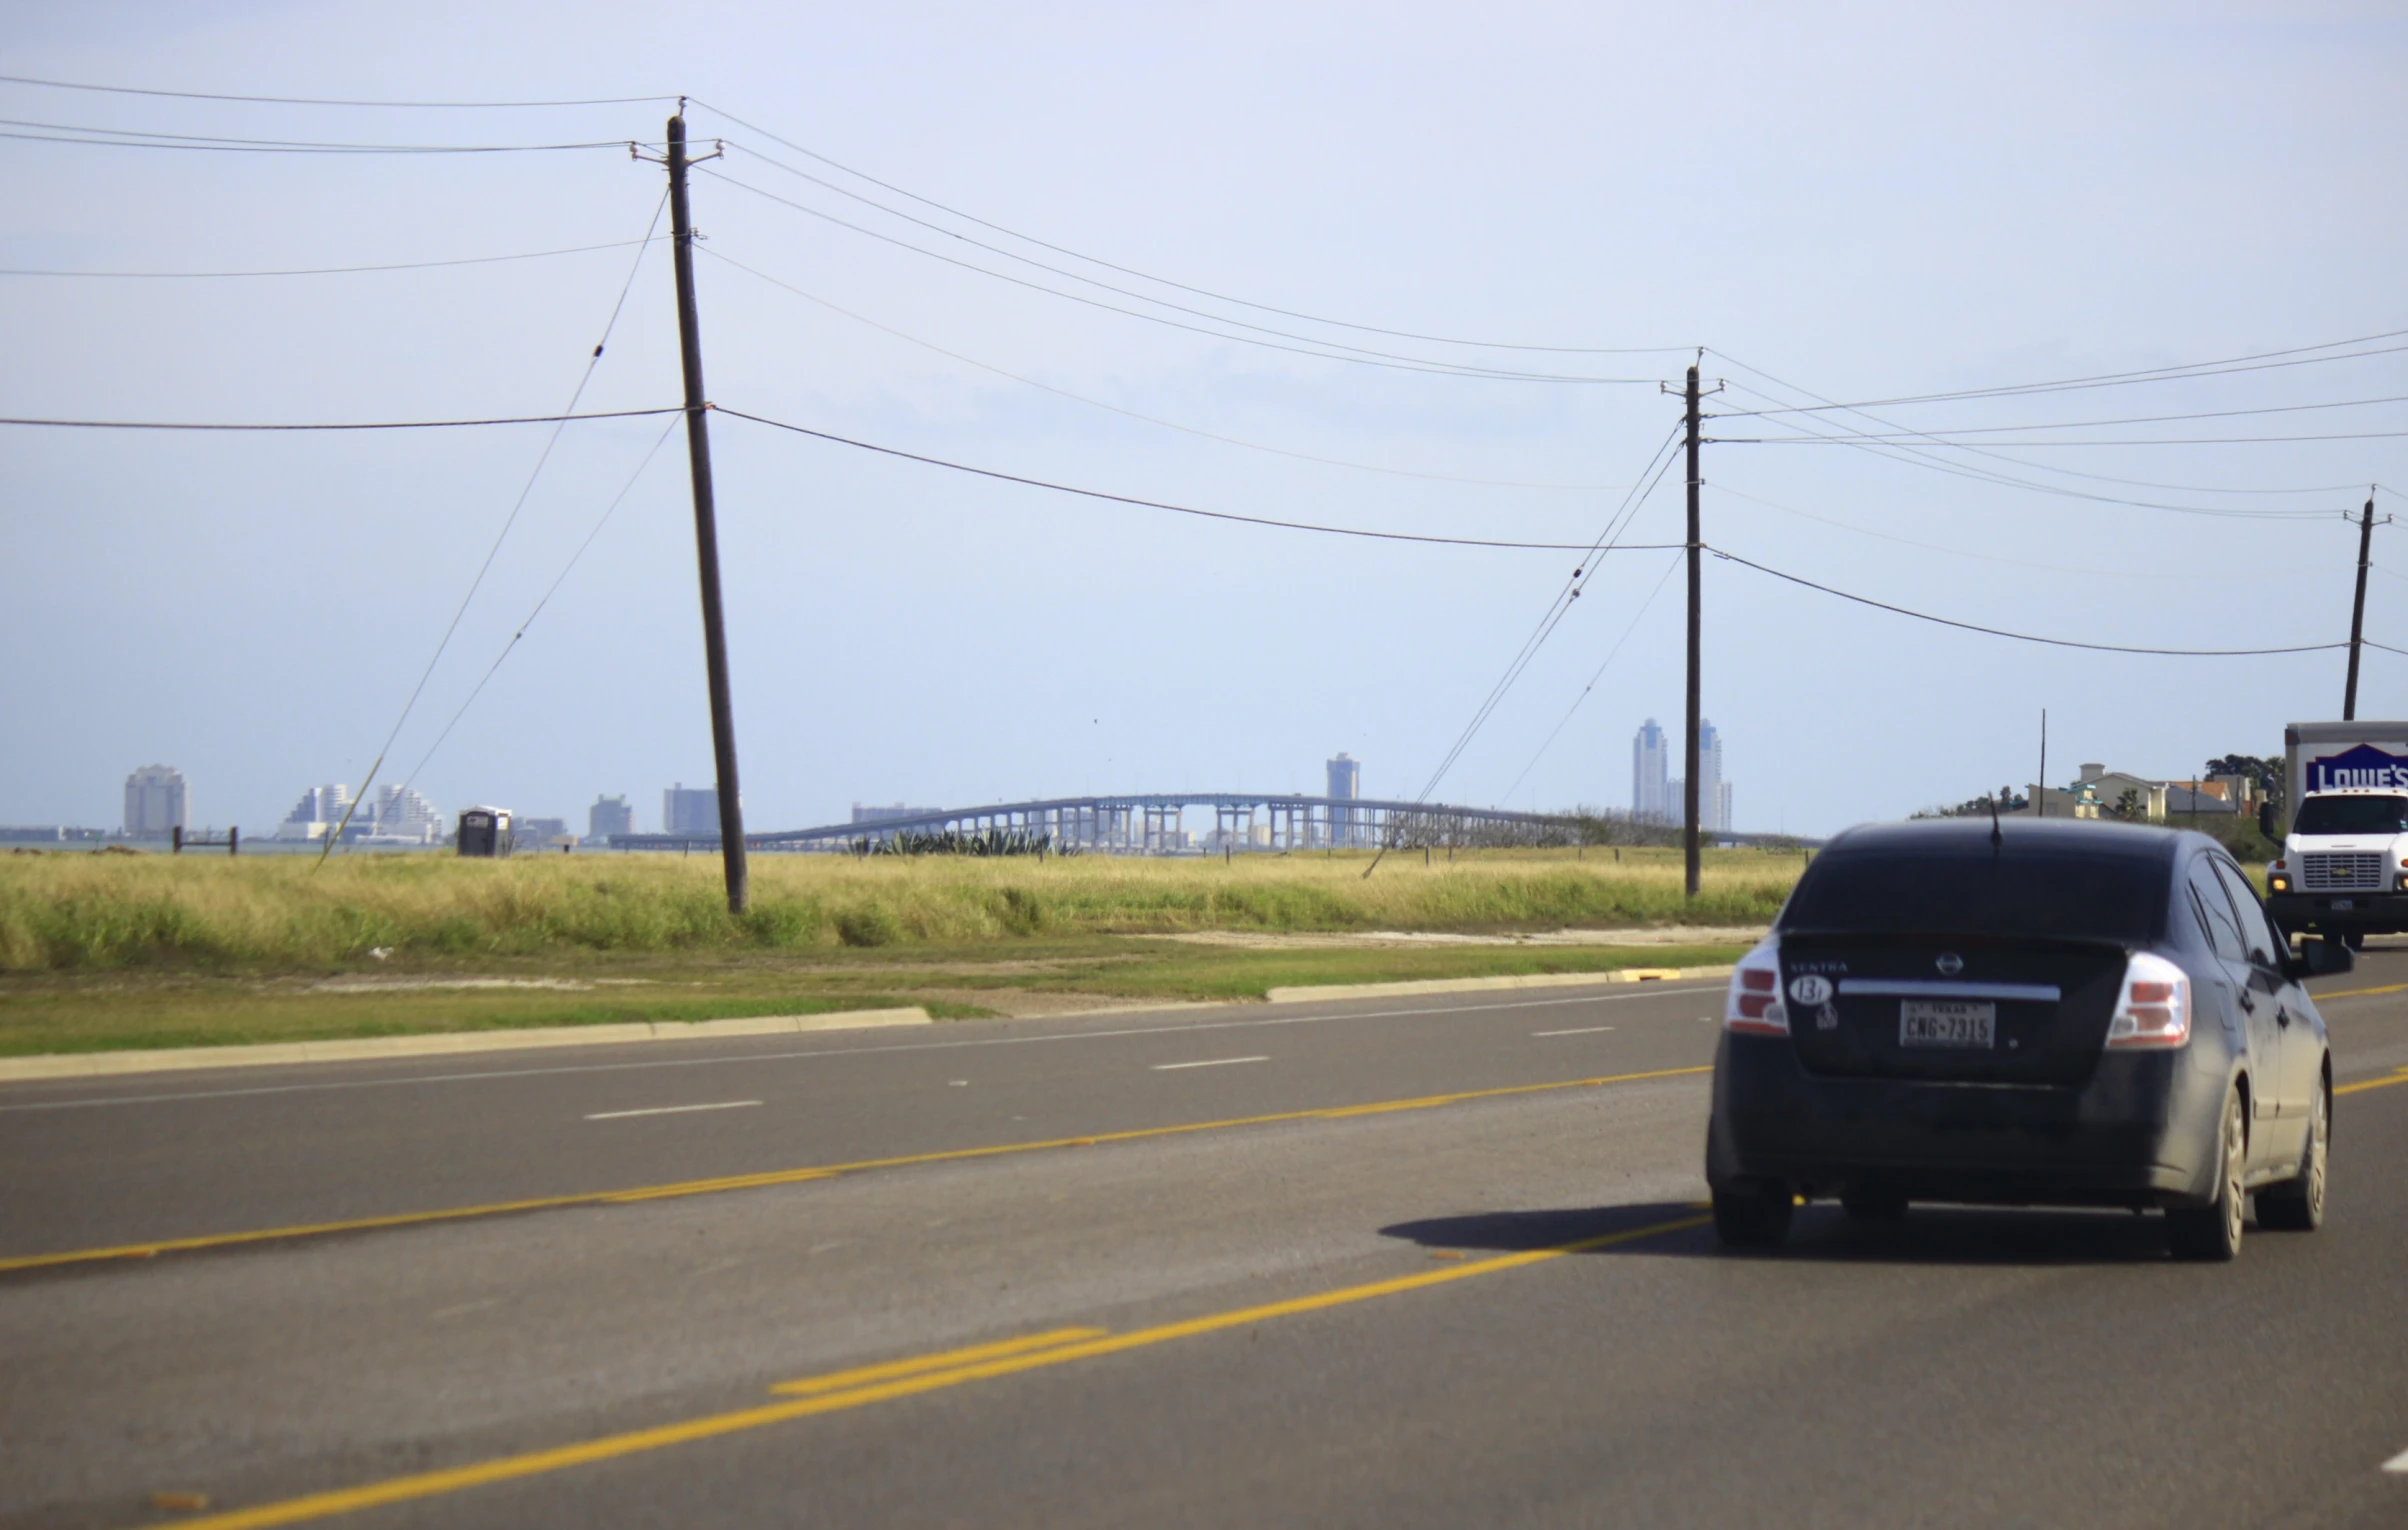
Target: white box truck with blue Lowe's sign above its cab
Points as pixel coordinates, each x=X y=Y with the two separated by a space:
x=2344 y=866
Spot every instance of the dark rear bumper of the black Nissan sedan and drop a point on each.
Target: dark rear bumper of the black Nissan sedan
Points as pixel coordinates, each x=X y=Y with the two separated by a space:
x=2140 y=1134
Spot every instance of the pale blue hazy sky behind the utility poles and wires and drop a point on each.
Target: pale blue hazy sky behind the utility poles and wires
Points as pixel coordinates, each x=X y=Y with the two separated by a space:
x=1860 y=201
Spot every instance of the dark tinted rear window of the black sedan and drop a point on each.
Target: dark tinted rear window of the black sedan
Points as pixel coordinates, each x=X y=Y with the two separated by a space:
x=2091 y=898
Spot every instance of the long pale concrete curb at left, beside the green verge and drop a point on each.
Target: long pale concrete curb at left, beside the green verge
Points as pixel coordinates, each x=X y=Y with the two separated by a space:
x=85 y=1066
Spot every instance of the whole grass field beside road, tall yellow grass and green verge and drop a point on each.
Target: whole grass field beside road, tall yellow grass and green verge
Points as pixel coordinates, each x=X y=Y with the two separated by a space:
x=150 y=951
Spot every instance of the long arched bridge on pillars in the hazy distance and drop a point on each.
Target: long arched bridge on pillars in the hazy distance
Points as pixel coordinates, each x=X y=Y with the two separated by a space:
x=1155 y=825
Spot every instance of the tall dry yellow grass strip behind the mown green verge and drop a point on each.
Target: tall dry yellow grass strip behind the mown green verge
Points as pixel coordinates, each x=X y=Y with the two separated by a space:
x=78 y=912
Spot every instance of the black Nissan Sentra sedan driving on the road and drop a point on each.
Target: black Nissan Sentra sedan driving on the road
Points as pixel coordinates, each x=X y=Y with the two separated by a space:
x=2024 y=1013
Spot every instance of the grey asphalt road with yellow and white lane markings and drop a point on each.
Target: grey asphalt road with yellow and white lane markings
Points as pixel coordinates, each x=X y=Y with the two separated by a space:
x=1412 y=1264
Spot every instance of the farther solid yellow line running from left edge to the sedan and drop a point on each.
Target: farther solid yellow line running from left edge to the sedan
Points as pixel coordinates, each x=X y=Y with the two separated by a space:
x=793 y=1177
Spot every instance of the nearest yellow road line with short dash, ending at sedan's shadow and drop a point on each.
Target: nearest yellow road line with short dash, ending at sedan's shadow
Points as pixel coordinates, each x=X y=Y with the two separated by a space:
x=883 y=1384
